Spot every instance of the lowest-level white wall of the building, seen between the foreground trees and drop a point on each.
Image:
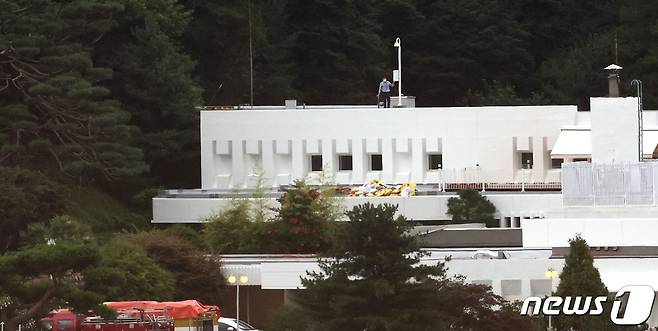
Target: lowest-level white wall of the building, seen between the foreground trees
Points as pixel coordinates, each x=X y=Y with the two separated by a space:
x=514 y=279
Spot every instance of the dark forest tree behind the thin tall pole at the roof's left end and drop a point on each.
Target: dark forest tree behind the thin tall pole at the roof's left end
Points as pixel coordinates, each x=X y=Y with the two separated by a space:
x=219 y=36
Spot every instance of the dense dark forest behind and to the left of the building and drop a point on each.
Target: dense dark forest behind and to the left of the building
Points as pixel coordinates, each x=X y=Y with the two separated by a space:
x=97 y=97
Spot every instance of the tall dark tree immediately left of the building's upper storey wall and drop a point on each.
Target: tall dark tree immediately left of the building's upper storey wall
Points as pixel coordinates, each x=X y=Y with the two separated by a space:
x=153 y=79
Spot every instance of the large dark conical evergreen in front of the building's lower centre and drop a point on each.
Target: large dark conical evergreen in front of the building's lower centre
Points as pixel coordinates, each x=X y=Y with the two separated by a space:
x=372 y=278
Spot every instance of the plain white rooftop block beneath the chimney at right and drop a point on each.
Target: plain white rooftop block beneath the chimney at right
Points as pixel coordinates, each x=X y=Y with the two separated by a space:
x=614 y=130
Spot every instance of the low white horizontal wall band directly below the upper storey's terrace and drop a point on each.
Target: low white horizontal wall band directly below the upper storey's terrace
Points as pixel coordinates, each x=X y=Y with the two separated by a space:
x=192 y=210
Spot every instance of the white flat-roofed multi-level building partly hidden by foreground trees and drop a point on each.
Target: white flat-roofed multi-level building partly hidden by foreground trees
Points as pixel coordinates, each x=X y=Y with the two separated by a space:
x=525 y=159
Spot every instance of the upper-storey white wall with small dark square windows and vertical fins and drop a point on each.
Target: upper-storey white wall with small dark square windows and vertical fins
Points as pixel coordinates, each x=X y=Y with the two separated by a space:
x=486 y=140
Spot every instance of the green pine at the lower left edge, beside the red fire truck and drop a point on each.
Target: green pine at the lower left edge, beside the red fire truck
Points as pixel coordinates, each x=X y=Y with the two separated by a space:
x=45 y=272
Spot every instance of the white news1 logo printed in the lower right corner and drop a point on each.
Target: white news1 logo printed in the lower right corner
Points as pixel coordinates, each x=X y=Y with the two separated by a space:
x=632 y=305
